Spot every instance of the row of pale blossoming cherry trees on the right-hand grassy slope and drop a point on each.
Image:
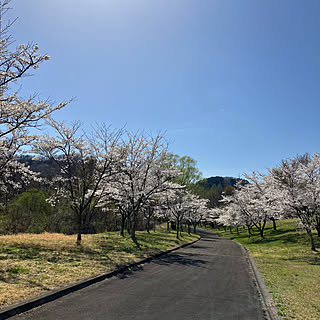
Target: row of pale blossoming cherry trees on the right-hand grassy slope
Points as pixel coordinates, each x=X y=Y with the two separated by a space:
x=291 y=189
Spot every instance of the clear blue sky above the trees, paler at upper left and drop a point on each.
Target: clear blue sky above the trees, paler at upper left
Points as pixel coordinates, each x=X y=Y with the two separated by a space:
x=233 y=84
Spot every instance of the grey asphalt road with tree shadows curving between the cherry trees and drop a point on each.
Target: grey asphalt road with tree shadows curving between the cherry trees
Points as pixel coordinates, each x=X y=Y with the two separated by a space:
x=210 y=279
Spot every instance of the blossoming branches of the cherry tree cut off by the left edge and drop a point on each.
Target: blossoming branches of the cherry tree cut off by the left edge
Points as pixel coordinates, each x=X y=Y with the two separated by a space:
x=17 y=114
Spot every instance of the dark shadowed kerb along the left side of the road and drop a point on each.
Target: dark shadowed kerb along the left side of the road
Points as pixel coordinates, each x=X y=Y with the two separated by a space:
x=29 y=304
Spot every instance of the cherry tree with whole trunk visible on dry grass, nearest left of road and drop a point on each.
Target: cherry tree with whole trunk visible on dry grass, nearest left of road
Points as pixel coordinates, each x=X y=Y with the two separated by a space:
x=87 y=164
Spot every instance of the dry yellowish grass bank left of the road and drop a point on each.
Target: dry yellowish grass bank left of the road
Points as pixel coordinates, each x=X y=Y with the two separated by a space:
x=31 y=264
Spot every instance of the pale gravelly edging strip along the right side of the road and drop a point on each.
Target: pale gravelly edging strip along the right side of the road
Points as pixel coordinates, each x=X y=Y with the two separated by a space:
x=270 y=309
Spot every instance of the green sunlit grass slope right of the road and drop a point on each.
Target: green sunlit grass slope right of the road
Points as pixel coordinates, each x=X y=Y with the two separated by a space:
x=290 y=269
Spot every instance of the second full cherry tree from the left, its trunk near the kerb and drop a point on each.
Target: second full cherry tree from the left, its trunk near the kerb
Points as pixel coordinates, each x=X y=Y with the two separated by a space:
x=144 y=174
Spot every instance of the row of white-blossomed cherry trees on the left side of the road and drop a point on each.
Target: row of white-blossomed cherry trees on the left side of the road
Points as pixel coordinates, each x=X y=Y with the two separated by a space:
x=117 y=170
